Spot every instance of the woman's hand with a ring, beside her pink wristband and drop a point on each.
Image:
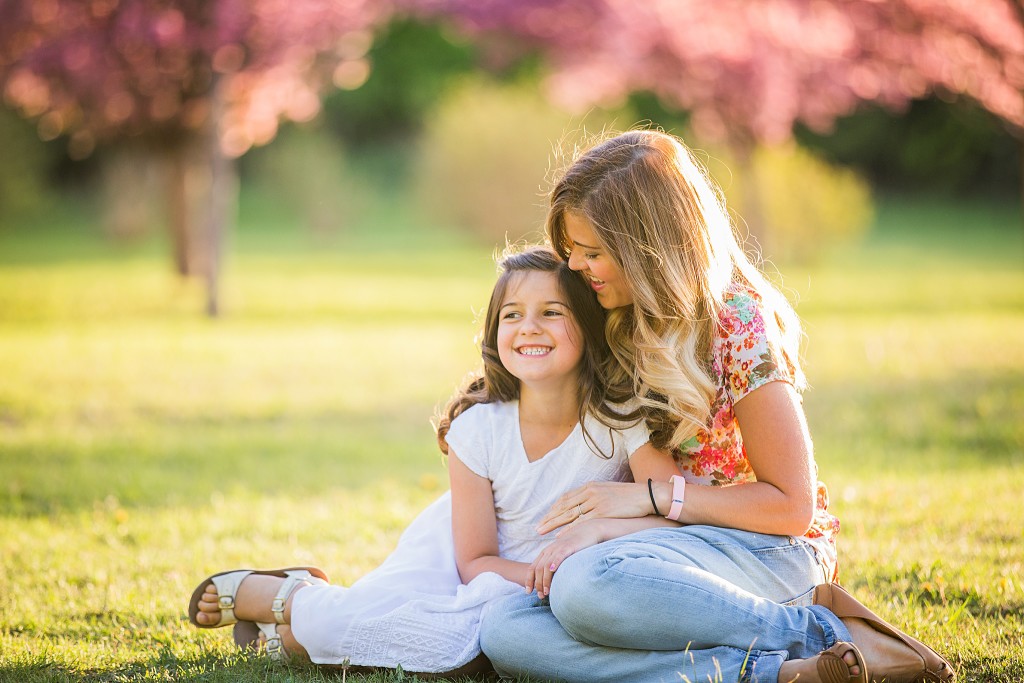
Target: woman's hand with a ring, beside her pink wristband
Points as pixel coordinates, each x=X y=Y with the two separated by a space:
x=599 y=500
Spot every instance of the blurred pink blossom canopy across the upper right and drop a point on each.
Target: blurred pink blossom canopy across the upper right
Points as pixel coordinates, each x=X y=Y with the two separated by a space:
x=748 y=72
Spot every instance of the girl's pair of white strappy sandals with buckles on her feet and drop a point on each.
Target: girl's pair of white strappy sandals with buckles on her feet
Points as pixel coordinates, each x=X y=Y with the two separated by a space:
x=228 y=584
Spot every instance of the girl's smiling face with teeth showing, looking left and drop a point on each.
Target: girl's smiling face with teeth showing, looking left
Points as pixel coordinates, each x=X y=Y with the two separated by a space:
x=538 y=338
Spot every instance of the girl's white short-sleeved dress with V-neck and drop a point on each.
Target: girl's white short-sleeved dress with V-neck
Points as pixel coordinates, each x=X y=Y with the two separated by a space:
x=414 y=611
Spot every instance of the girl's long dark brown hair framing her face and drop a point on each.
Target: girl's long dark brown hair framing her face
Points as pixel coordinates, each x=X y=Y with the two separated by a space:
x=497 y=385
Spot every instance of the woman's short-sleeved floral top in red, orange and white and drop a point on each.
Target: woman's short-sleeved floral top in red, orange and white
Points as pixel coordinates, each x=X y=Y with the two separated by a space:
x=743 y=362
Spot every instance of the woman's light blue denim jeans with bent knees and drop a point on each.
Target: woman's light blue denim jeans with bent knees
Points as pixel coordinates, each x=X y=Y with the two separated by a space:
x=691 y=604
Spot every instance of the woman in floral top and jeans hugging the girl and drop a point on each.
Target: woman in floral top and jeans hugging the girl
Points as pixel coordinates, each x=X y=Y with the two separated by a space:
x=741 y=592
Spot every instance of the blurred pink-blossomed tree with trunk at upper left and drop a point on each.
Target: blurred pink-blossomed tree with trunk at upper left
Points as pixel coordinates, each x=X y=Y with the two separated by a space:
x=201 y=81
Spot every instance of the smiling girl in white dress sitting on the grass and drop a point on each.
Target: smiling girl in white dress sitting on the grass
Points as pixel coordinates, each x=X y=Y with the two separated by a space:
x=539 y=422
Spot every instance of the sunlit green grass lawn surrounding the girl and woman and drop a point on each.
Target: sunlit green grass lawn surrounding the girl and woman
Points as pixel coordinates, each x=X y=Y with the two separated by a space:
x=144 y=447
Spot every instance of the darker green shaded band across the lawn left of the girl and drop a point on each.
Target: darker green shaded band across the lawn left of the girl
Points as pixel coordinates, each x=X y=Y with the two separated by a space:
x=183 y=462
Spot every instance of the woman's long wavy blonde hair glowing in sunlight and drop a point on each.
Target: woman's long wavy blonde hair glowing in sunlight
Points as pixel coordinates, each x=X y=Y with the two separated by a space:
x=660 y=218
